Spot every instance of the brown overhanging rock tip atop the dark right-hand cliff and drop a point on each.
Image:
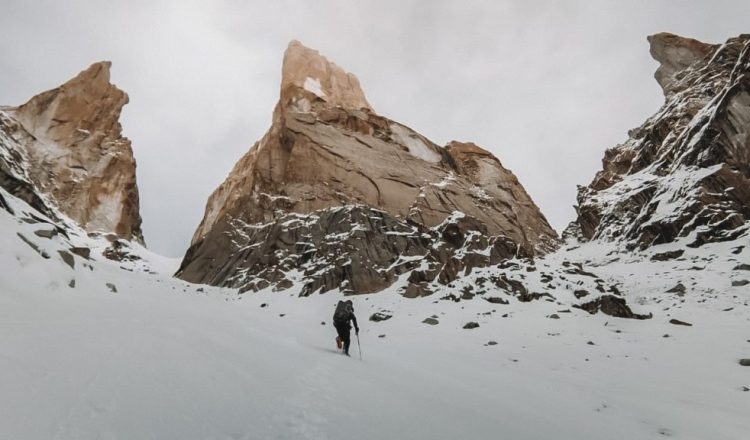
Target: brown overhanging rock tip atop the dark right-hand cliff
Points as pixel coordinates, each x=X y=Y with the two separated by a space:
x=675 y=54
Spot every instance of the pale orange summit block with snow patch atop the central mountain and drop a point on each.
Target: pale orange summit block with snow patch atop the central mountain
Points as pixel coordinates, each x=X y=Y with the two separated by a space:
x=305 y=69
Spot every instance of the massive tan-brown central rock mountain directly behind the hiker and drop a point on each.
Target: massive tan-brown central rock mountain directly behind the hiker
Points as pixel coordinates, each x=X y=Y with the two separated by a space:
x=326 y=149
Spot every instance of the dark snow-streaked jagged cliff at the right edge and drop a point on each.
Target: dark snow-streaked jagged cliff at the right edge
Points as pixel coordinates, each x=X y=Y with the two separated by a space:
x=686 y=171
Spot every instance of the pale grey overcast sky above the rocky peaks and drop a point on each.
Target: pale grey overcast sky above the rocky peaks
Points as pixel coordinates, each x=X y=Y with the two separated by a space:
x=545 y=85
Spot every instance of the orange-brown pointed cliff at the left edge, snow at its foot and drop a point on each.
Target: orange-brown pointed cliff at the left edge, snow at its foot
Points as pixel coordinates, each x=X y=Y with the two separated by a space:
x=69 y=143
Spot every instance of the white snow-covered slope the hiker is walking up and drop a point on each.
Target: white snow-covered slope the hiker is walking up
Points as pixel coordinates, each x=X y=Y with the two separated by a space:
x=165 y=359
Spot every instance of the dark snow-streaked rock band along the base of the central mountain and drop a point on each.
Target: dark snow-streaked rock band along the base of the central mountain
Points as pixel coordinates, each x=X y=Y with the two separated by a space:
x=355 y=248
